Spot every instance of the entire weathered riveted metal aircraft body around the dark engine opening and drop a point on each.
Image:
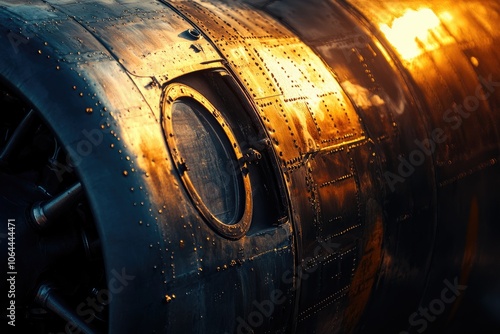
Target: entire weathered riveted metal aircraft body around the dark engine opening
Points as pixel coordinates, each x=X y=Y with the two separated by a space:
x=365 y=135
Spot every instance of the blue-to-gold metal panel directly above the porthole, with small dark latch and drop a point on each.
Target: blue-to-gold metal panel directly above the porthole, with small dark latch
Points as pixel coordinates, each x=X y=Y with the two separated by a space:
x=148 y=39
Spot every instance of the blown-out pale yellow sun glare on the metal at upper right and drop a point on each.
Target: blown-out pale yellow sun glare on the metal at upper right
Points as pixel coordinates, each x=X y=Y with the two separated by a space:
x=410 y=34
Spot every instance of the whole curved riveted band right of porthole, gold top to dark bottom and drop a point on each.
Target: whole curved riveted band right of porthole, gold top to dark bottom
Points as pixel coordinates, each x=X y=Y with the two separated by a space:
x=312 y=124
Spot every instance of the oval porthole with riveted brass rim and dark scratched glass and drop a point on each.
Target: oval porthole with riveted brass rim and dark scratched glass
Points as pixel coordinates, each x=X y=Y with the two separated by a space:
x=208 y=159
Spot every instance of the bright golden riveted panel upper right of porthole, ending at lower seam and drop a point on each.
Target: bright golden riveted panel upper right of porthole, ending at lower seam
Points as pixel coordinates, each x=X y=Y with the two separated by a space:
x=281 y=67
